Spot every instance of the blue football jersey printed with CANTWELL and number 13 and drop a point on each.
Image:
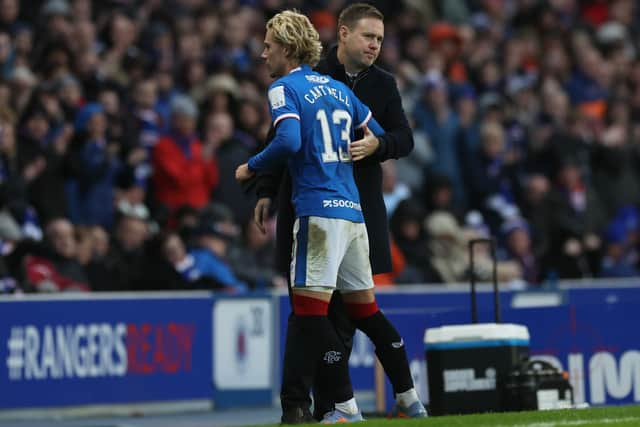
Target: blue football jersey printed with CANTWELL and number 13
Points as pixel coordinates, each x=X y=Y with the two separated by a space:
x=321 y=170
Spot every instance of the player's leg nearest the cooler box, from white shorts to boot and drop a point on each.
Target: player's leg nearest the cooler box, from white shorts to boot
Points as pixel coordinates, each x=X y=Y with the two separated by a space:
x=354 y=280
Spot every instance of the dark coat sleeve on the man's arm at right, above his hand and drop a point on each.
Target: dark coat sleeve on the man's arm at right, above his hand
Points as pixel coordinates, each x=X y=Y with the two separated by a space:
x=398 y=138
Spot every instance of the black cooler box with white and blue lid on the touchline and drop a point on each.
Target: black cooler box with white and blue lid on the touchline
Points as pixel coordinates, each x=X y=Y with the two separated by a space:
x=468 y=365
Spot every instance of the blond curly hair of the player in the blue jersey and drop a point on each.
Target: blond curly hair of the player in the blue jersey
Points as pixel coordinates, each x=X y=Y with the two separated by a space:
x=295 y=32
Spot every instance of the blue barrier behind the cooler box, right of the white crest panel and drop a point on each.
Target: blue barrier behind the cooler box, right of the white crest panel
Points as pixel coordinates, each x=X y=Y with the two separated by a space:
x=589 y=331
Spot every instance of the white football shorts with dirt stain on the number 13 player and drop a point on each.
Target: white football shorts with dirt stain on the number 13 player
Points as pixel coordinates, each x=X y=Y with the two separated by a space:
x=331 y=253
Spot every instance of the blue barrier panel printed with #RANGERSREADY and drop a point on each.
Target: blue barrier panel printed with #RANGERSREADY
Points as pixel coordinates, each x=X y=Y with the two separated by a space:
x=72 y=351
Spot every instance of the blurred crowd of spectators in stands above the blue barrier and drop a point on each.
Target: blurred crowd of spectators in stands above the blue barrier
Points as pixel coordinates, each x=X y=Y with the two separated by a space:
x=122 y=123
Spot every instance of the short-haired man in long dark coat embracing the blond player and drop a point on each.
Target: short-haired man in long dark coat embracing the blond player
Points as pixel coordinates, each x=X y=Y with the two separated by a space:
x=360 y=35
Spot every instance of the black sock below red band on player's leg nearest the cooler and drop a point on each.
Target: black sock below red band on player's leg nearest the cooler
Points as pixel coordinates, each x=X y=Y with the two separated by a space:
x=389 y=349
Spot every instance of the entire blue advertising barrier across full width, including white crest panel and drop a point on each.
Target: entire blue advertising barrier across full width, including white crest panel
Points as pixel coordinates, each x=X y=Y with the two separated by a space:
x=65 y=350
